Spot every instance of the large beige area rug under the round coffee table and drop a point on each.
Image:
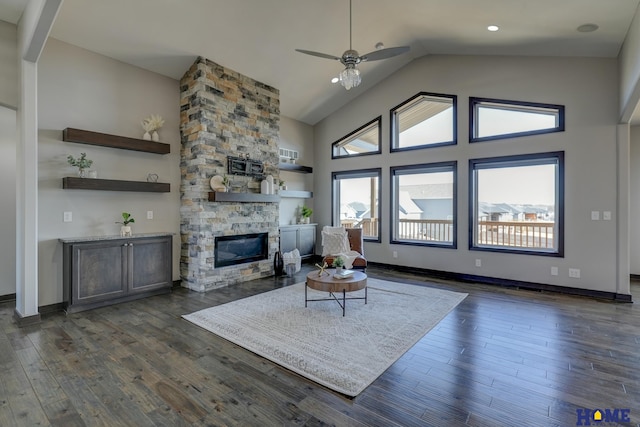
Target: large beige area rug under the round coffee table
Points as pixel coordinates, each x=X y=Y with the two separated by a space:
x=345 y=354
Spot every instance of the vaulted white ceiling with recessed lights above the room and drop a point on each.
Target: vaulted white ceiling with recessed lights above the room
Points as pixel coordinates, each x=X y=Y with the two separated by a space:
x=257 y=37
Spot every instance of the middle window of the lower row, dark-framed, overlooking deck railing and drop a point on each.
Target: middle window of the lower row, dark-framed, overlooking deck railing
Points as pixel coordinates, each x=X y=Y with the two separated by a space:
x=424 y=204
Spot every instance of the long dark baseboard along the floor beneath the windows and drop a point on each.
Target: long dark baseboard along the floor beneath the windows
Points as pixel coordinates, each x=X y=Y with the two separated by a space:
x=472 y=278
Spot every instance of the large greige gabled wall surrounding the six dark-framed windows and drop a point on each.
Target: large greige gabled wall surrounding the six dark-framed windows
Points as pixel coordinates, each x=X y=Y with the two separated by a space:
x=589 y=90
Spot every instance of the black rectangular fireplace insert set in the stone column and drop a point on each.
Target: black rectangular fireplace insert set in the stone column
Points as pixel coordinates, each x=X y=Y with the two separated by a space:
x=240 y=249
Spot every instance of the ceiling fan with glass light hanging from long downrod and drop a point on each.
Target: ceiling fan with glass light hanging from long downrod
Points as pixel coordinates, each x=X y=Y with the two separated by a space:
x=350 y=76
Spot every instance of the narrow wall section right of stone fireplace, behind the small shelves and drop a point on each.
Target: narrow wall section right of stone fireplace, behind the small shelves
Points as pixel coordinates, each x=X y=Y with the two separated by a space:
x=297 y=136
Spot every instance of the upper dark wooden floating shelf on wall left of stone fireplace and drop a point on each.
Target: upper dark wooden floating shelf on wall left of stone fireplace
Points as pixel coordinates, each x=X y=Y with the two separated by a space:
x=105 y=140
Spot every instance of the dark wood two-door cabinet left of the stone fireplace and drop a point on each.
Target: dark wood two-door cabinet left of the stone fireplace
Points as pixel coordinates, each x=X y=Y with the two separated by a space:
x=111 y=270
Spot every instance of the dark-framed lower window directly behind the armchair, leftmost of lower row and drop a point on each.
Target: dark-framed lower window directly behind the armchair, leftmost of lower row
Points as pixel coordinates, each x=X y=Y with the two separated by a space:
x=356 y=201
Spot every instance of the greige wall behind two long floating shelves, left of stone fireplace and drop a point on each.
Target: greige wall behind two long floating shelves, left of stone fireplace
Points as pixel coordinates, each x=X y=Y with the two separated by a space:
x=82 y=89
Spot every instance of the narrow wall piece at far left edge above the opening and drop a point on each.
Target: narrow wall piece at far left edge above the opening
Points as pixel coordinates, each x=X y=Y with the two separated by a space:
x=8 y=64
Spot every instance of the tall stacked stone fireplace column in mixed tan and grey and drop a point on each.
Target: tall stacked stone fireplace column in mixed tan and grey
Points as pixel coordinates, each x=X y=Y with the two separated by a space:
x=224 y=113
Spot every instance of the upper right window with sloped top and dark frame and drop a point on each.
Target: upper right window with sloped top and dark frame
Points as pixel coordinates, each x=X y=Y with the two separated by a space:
x=492 y=119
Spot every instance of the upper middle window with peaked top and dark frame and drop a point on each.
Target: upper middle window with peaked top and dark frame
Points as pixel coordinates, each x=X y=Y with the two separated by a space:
x=426 y=120
